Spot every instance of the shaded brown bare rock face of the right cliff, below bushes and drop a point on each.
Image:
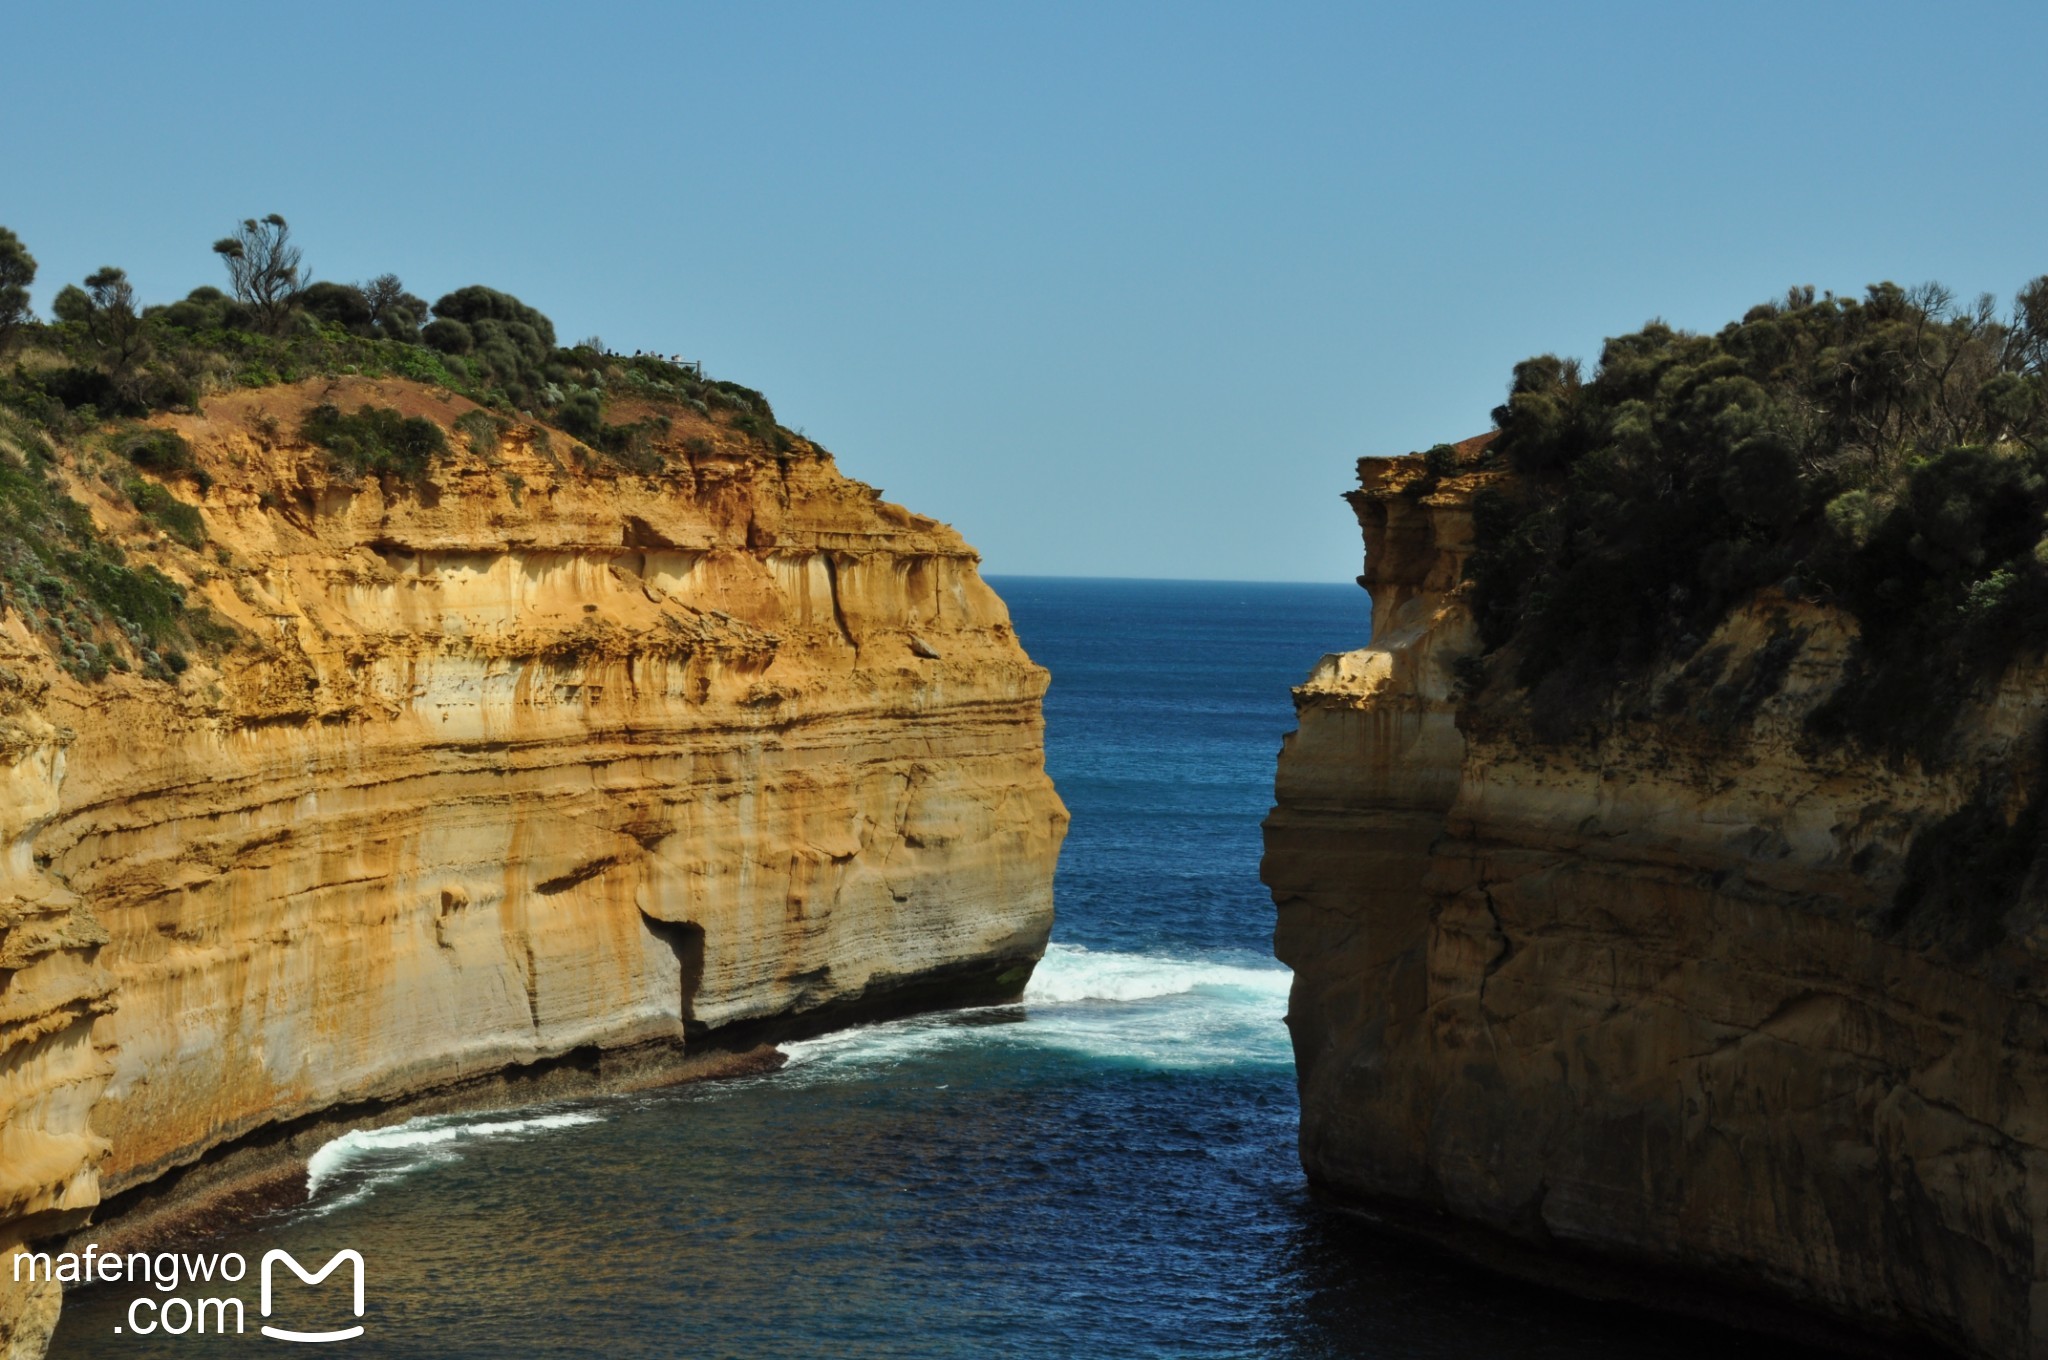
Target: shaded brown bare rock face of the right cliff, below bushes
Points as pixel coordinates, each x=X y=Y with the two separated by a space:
x=1648 y=998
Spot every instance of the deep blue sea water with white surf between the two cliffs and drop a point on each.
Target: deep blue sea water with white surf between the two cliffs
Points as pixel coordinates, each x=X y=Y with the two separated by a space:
x=1105 y=1171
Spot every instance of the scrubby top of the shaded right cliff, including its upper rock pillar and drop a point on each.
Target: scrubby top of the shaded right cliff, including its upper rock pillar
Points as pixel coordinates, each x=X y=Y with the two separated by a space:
x=1816 y=540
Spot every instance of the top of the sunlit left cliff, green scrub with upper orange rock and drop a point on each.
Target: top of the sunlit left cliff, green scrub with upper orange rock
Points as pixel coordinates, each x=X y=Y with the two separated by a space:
x=138 y=441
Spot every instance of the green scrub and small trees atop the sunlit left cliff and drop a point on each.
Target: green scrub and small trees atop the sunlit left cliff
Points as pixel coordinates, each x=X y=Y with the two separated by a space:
x=81 y=388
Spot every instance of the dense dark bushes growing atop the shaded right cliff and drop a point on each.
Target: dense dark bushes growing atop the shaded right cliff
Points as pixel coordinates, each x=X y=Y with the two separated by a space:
x=1889 y=454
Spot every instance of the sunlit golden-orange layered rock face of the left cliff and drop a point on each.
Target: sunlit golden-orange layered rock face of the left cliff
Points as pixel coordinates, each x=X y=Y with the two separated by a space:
x=515 y=765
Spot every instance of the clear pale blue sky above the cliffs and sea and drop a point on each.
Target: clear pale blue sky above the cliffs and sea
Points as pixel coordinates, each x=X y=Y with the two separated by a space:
x=1117 y=290
